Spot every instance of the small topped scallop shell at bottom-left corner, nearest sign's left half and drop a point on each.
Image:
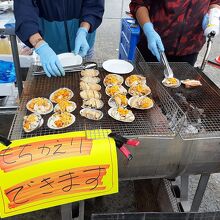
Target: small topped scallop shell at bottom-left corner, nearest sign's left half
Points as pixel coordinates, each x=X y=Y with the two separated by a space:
x=34 y=125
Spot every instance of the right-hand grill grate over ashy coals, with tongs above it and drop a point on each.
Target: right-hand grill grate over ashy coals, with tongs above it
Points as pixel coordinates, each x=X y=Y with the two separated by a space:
x=201 y=104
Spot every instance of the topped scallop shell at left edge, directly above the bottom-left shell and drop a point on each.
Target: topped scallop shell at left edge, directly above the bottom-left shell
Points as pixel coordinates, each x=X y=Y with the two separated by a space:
x=44 y=109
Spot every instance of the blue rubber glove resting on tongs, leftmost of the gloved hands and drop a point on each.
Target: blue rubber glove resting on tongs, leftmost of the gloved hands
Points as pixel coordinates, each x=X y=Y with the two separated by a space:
x=49 y=61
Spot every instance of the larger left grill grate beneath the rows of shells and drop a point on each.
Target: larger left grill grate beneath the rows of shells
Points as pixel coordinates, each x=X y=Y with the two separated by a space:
x=148 y=123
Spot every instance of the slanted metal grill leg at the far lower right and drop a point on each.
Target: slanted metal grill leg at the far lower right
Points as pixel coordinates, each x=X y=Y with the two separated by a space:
x=203 y=181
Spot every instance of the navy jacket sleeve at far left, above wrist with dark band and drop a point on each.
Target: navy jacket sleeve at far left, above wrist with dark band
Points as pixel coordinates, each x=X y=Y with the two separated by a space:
x=26 y=17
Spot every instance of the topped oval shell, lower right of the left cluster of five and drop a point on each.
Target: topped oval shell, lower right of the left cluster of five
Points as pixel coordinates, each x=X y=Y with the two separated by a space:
x=61 y=120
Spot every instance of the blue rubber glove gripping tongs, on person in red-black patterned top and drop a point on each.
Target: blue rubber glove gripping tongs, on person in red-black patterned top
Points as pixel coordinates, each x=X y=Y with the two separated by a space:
x=155 y=44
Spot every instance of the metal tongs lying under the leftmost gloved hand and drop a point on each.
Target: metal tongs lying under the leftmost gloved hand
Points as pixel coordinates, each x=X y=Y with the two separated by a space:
x=69 y=69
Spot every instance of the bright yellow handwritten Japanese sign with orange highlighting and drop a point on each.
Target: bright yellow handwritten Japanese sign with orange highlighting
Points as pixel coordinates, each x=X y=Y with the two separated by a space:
x=46 y=171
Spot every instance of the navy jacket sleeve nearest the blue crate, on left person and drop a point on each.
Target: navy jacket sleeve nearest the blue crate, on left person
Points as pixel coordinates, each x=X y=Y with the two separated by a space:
x=92 y=12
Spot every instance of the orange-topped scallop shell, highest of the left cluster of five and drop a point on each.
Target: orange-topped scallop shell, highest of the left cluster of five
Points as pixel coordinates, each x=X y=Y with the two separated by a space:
x=55 y=97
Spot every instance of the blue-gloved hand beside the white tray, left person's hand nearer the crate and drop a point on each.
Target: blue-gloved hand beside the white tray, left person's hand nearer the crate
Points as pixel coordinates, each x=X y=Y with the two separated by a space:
x=81 y=44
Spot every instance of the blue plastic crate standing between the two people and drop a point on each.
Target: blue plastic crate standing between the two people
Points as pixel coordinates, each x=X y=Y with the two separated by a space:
x=130 y=35
